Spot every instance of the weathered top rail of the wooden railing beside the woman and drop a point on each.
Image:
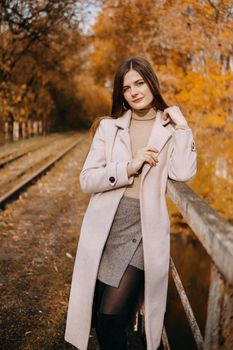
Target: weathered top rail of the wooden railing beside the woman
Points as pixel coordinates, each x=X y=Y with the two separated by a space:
x=214 y=233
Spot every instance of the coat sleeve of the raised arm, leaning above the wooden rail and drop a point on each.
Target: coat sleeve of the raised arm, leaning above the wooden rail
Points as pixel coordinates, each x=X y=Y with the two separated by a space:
x=182 y=165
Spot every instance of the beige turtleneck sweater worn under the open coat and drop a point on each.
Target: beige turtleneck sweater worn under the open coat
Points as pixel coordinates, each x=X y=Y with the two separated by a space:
x=139 y=131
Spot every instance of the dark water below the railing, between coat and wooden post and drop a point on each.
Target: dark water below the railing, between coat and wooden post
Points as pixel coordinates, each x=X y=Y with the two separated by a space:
x=193 y=266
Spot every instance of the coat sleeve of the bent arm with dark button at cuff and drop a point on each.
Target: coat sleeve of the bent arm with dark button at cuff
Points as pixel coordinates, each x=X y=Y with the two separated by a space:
x=97 y=175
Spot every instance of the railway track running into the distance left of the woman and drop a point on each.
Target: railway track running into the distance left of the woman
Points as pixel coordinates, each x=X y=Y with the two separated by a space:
x=30 y=162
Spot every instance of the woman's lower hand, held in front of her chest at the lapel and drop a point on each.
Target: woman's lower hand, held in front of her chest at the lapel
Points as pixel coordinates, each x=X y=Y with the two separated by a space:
x=145 y=154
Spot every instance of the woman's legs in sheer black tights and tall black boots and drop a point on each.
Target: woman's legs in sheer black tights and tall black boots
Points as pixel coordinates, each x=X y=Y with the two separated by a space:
x=114 y=306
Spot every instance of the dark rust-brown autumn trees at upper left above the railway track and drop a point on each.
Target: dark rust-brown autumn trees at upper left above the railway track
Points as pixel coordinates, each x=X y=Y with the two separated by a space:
x=42 y=50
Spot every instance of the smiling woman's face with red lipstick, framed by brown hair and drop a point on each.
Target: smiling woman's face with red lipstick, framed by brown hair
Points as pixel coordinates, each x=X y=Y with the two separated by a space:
x=136 y=92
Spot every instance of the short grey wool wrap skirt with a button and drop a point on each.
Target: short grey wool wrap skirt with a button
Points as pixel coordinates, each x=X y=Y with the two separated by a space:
x=124 y=243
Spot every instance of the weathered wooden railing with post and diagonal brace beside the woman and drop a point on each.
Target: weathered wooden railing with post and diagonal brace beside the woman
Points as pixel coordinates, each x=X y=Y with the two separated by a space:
x=216 y=236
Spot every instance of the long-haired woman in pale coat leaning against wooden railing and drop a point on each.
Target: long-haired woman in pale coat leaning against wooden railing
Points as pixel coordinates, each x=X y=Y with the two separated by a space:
x=122 y=260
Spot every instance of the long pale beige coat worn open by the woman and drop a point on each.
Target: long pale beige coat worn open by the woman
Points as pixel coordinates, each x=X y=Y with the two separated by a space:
x=104 y=176
